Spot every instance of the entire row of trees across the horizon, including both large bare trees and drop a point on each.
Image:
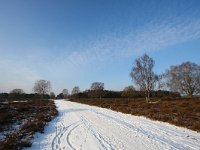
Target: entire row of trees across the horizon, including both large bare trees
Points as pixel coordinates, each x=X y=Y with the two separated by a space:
x=183 y=79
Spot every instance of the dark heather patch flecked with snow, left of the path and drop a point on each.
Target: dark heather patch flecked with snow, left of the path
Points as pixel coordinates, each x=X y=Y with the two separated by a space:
x=30 y=117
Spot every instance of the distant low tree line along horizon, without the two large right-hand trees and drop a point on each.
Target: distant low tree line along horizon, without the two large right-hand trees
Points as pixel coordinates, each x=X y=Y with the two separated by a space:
x=96 y=91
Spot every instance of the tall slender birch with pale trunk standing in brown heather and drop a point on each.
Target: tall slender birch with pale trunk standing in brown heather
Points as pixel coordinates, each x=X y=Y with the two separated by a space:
x=142 y=74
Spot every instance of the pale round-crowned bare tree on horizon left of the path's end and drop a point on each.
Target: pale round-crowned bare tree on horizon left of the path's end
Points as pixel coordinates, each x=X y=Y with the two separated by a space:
x=42 y=87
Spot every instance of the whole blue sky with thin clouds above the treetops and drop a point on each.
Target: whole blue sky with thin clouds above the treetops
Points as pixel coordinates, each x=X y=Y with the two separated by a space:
x=76 y=42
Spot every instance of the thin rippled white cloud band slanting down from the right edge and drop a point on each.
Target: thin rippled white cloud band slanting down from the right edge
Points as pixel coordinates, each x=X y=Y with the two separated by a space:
x=154 y=36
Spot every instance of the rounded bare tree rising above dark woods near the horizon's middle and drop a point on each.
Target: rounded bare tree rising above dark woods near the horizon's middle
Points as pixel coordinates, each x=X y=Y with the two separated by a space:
x=96 y=89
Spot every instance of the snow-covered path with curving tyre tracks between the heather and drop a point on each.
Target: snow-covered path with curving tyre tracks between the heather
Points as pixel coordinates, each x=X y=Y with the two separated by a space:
x=86 y=127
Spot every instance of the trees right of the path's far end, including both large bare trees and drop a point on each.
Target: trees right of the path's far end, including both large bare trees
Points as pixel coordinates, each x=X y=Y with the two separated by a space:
x=183 y=79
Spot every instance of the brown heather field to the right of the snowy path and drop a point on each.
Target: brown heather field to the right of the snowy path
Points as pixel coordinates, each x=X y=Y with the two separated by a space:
x=184 y=112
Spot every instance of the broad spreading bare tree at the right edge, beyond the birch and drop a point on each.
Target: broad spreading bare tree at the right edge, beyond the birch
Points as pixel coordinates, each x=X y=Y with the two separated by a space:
x=184 y=78
